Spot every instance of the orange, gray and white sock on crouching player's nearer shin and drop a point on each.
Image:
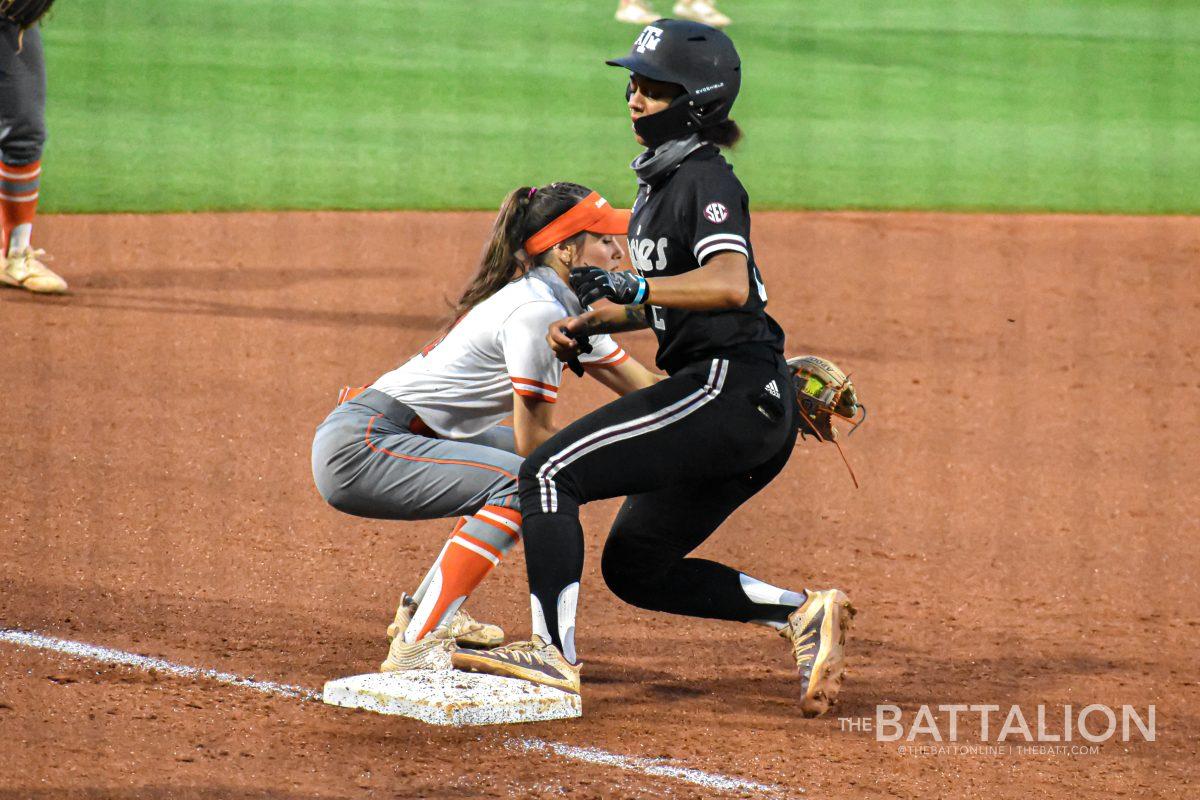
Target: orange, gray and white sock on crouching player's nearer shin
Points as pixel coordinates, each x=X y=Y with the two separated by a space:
x=477 y=545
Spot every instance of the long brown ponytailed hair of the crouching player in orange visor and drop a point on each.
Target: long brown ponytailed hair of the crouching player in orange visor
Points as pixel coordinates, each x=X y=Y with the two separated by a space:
x=524 y=213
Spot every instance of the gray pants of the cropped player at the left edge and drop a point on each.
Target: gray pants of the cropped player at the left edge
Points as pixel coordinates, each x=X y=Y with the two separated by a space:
x=22 y=97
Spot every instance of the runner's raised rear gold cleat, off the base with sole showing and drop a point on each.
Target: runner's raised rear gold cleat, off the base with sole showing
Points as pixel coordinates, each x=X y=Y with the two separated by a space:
x=818 y=633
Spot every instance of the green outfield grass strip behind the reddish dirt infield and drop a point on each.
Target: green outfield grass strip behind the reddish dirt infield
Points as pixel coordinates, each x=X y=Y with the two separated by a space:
x=989 y=105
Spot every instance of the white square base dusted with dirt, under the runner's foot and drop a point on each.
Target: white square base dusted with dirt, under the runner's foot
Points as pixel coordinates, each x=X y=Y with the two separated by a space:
x=453 y=699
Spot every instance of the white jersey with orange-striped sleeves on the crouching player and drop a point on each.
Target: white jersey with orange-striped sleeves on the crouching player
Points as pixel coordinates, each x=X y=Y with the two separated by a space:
x=463 y=384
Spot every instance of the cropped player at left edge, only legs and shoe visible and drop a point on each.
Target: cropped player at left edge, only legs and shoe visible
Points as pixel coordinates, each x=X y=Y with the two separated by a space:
x=22 y=139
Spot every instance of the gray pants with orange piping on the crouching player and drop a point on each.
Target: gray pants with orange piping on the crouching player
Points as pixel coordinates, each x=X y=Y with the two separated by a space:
x=369 y=464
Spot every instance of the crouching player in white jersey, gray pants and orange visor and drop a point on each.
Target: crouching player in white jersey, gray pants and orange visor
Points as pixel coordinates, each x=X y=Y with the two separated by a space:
x=425 y=441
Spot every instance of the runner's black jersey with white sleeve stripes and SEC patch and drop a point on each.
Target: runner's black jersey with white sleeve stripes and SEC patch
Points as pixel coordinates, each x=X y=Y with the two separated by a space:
x=679 y=224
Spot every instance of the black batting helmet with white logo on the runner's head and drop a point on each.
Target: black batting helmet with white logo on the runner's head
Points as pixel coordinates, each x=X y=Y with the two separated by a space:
x=700 y=59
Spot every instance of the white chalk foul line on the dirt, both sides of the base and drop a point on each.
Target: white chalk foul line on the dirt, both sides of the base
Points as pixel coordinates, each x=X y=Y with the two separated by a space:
x=652 y=767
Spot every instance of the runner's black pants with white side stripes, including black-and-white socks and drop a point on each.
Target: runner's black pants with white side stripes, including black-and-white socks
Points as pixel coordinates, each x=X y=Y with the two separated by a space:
x=687 y=452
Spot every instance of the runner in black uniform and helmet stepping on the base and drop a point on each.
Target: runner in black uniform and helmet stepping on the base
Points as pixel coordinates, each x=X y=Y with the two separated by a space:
x=693 y=448
